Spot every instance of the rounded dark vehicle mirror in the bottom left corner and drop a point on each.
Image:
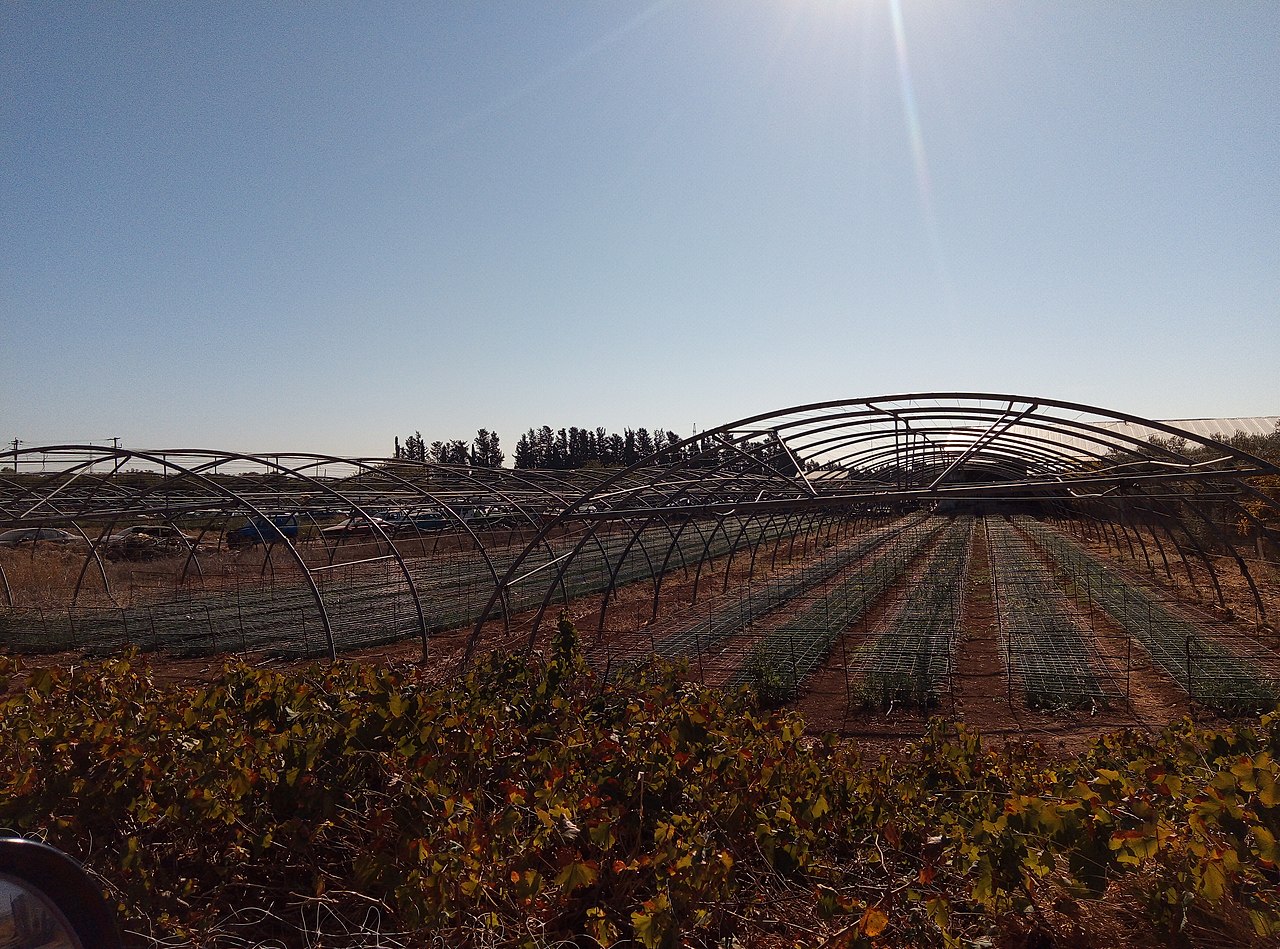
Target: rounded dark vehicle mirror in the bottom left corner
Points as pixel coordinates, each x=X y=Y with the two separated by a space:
x=49 y=902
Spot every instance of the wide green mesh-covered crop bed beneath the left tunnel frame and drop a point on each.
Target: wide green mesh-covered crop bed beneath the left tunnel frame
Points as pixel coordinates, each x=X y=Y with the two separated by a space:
x=373 y=603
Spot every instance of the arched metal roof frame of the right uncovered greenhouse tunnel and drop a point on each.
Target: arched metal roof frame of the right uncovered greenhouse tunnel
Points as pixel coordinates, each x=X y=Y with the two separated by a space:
x=1066 y=450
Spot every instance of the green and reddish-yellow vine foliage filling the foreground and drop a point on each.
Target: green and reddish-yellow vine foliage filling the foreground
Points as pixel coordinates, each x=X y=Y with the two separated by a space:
x=531 y=802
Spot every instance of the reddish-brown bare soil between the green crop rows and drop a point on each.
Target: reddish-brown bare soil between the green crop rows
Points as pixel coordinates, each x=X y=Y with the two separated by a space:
x=981 y=695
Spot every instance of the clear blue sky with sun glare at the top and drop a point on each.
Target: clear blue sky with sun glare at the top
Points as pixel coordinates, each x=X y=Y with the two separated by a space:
x=313 y=227
